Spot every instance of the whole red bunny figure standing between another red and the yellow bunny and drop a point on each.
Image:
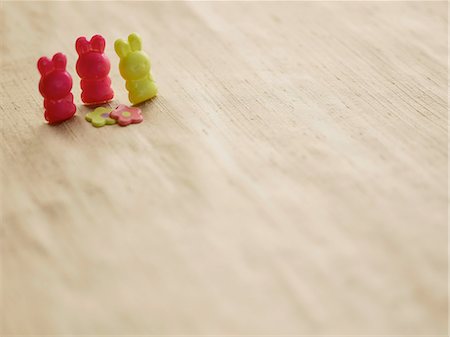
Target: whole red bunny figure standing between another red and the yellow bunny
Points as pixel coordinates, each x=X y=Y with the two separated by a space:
x=93 y=68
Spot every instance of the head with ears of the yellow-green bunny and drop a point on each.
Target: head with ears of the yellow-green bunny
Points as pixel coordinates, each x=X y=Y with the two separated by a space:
x=134 y=63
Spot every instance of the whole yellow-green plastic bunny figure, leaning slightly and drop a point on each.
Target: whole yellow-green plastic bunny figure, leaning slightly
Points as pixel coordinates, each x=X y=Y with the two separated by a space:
x=134 y=67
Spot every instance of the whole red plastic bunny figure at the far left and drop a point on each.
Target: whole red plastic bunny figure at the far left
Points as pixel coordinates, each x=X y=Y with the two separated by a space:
x=55 y=86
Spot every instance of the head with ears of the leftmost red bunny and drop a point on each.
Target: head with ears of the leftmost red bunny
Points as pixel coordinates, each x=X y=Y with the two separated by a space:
x=55 y=82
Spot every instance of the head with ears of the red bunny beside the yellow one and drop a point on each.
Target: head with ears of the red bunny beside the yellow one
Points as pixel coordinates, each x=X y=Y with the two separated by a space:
x=92 y=62
